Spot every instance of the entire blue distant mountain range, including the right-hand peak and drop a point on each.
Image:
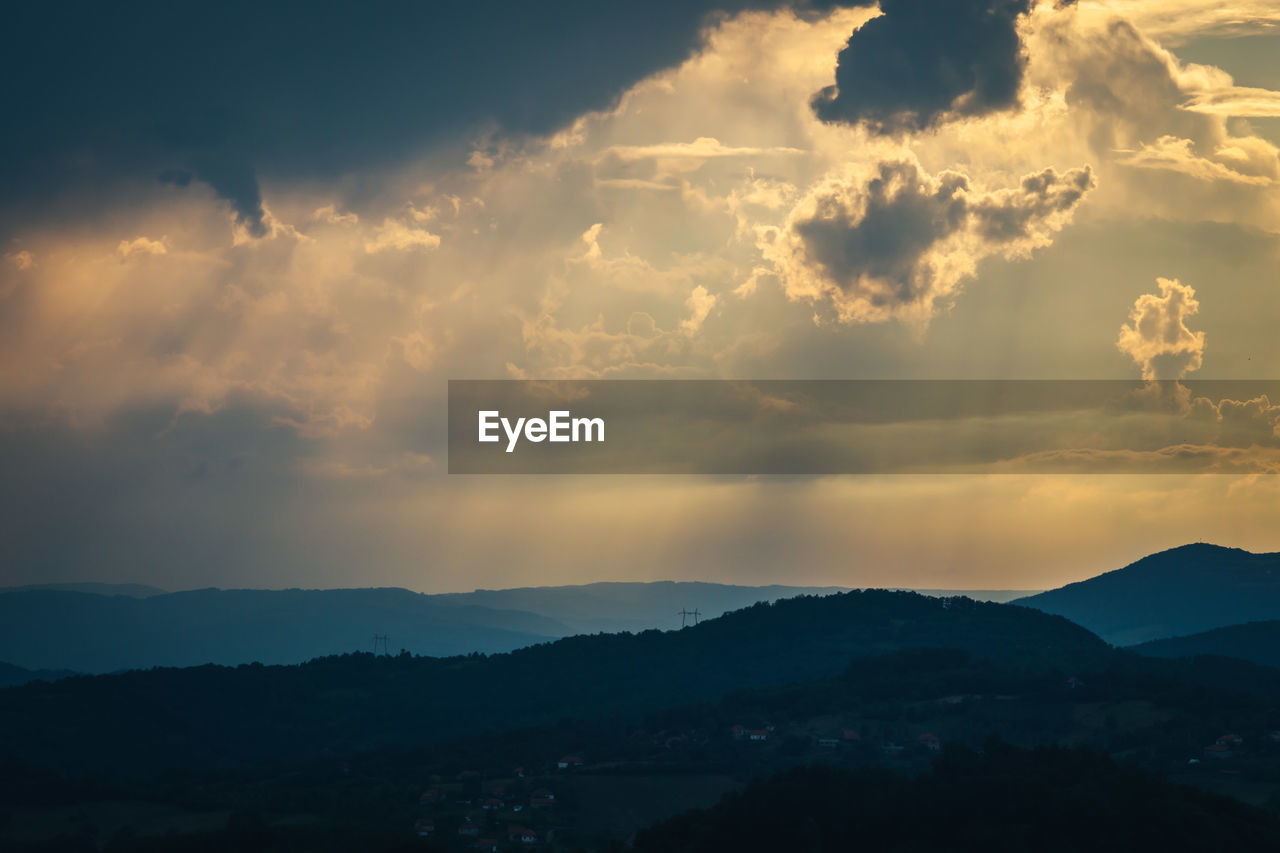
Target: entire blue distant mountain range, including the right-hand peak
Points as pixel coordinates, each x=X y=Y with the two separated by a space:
x=106 y=628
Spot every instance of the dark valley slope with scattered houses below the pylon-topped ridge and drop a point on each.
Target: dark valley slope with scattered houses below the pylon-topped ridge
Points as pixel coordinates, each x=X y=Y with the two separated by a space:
x=889 y=711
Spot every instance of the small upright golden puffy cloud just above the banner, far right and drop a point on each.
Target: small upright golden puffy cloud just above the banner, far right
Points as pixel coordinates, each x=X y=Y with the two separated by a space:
x=1158 y=337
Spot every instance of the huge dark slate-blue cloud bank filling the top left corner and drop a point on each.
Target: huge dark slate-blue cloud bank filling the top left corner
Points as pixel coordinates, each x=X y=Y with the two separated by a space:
x=100 y=94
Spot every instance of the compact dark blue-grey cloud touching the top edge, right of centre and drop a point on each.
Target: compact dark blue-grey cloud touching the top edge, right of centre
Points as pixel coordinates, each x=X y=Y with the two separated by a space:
x=924 y=61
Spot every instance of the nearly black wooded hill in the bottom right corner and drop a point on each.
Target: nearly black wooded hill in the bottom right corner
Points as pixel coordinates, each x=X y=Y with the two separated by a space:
x=1005 y=800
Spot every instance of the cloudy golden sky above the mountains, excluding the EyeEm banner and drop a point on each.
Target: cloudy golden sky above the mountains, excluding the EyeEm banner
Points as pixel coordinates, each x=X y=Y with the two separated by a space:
x=245 y=249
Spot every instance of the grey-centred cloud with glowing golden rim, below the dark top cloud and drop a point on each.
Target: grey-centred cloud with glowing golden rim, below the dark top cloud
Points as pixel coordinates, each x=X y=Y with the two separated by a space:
x=895 y=241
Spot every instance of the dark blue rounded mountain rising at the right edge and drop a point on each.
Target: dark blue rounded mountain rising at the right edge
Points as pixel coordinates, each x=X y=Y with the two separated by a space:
x=1183 y=591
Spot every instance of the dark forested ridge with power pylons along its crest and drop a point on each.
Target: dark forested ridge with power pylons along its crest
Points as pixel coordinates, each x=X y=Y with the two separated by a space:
x=216 y=717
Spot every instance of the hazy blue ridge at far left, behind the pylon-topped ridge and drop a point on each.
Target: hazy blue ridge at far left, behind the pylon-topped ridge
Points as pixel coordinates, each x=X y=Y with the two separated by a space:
x=93 y=633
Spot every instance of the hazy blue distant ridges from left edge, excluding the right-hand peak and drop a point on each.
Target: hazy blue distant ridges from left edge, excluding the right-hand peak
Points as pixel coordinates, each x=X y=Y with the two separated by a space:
x=106 y=628
